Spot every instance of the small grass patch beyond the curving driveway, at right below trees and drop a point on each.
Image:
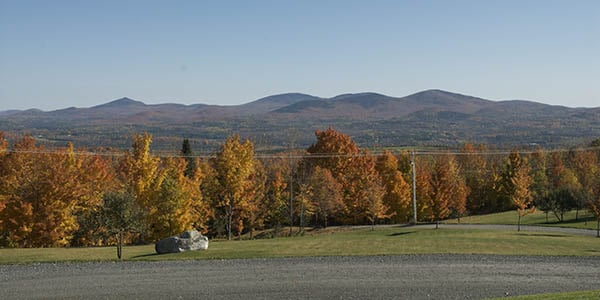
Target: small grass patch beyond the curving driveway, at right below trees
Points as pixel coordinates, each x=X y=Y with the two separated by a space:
x=585 y=219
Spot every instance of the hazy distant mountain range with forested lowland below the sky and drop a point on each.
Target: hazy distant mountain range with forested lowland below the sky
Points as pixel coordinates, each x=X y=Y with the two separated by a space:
x=428 y=118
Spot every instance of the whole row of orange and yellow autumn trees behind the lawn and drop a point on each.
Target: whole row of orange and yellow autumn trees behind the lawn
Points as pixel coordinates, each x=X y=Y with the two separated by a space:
x=66 y=197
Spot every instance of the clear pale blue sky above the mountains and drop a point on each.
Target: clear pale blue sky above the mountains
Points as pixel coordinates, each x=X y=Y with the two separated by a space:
x=57 y=54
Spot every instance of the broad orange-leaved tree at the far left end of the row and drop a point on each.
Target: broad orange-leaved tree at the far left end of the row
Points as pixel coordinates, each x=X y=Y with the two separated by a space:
x=44 y=190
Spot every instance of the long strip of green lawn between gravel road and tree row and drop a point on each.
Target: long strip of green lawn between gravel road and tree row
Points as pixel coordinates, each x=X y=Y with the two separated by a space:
x=382 y=241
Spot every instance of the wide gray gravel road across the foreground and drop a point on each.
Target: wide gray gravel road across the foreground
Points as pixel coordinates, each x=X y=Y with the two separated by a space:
x=375 y=277
